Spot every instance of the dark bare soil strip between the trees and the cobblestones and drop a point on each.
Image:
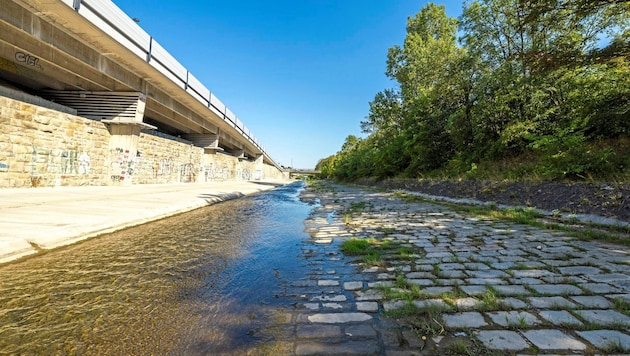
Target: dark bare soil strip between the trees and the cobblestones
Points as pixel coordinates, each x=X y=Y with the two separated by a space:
x=603 y=199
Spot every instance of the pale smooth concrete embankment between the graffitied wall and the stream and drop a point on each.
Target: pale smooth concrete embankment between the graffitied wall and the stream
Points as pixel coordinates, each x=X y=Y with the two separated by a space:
x=38 y=219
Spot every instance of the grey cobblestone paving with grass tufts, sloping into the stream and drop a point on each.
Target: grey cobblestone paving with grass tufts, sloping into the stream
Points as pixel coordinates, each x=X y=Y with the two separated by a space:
x=440 y=282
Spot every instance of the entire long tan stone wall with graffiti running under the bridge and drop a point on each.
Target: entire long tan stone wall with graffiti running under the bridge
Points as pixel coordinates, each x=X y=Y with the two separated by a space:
x=44 y=147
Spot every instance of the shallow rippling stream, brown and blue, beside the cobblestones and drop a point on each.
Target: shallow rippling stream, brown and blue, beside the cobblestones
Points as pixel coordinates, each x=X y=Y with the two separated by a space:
x=196 y=283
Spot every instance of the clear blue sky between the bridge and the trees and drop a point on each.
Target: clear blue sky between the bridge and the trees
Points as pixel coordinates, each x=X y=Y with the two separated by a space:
x=298 y=73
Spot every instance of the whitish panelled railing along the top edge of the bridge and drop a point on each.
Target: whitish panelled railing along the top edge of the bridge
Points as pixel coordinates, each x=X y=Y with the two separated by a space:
x=117 y=24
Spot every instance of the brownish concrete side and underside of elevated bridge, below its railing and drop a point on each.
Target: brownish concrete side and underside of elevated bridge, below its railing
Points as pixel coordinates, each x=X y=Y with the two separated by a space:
x=49 y=50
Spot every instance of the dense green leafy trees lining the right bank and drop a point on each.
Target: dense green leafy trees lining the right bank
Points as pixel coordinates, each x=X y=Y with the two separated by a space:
x=540 y=85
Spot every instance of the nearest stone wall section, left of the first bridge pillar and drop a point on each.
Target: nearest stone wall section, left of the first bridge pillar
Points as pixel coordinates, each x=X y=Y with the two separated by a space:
x=45 y=147
